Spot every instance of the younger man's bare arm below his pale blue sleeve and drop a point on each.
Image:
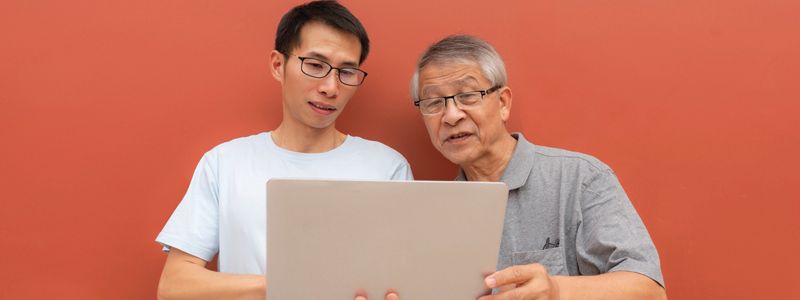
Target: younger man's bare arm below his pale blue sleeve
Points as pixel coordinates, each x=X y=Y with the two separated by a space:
x=185 y=277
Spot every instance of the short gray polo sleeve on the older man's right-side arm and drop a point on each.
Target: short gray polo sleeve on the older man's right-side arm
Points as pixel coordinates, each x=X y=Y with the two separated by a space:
x=612 y=236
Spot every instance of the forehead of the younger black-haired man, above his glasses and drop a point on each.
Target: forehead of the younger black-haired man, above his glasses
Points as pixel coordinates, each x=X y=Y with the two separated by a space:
x=322 y=41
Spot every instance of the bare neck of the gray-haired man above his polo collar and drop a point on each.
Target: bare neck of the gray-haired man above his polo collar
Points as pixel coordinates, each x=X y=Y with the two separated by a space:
x=492 y=165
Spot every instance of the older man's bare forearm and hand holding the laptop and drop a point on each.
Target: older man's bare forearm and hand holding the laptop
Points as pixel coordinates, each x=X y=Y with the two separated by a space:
x=533 y=282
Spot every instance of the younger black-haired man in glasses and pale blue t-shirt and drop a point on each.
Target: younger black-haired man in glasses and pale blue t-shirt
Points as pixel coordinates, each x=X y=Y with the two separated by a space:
x=319 y=48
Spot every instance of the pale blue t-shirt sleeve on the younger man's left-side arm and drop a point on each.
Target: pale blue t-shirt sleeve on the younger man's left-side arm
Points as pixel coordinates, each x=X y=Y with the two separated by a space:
x=193 y=226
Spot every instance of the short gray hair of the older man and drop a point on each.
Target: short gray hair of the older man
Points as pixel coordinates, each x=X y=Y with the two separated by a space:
x=462 y=49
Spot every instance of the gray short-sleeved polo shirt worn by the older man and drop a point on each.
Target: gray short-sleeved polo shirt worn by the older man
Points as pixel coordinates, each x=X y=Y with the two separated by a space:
x=568 y=212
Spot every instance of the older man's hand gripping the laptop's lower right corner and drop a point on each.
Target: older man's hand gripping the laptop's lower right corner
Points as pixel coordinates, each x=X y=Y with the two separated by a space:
x=522 y=282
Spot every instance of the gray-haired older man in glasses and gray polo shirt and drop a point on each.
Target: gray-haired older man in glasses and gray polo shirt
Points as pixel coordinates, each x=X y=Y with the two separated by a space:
x=567 y=213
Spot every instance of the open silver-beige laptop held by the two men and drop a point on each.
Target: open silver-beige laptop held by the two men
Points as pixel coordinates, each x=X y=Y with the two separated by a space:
x=326 y=239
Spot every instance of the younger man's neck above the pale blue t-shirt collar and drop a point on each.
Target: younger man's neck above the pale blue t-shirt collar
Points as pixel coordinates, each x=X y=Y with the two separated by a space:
x=307 y=140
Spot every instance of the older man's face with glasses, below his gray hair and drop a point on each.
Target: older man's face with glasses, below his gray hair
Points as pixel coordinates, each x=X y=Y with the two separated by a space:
x=464 y=137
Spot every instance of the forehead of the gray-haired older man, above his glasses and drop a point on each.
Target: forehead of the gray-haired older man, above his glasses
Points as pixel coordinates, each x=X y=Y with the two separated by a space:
x=443 y=76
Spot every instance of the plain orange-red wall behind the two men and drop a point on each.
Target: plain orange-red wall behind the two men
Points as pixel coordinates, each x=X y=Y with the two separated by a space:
x=106 y=107
